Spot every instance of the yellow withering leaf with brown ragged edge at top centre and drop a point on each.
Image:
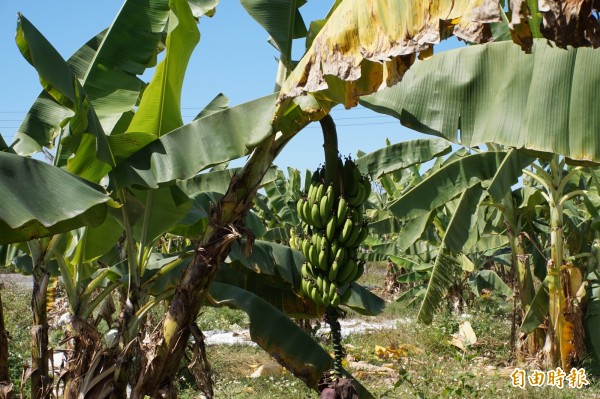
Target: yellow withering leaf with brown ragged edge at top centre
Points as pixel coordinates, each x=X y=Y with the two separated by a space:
x=366 y=45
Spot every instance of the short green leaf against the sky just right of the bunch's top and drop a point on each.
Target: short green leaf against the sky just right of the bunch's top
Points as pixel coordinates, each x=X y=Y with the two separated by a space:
x=402 y=155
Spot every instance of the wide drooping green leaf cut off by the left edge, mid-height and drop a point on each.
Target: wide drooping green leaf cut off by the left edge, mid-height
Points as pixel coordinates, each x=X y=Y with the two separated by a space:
x=37 y=199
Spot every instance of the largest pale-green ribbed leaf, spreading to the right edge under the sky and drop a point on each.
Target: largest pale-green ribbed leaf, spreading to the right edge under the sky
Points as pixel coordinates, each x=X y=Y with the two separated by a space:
x=496 y=93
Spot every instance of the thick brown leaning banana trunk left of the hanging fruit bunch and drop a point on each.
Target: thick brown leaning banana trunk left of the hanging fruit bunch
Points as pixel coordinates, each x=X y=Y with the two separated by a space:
x=225 y=227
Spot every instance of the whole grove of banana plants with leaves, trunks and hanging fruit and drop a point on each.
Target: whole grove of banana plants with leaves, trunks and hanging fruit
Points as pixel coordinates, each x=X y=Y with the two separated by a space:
x=135 y=213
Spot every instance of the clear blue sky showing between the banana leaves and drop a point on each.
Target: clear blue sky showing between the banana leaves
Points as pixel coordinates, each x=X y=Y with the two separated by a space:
x=233 y=57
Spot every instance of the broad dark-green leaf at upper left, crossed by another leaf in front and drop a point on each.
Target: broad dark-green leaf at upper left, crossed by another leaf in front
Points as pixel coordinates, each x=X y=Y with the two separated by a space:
x=107 y=67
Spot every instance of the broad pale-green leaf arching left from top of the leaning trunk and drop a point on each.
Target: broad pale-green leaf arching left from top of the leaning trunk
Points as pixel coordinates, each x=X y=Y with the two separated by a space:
x=184 y=152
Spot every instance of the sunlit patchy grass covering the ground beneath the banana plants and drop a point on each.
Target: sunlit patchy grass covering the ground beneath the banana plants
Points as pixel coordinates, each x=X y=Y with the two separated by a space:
x=408 y=361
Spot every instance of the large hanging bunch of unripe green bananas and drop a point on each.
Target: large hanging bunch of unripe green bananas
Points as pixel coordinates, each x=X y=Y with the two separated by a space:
x=332 y=230
